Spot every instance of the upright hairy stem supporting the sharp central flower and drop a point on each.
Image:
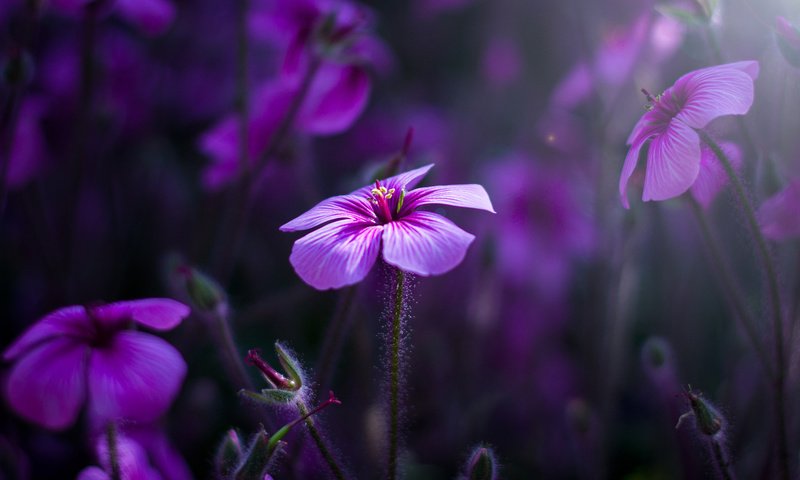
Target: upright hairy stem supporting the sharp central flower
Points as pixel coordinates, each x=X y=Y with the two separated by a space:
x=394 y=375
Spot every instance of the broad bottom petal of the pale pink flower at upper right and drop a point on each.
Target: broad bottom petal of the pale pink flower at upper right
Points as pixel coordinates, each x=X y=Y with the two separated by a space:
x=673 y=162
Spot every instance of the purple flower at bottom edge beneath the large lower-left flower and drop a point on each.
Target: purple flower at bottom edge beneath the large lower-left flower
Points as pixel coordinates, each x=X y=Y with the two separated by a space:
x=133 y=464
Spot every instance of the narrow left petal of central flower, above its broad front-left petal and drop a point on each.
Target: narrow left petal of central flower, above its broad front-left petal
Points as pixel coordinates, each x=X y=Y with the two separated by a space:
x=352 y=207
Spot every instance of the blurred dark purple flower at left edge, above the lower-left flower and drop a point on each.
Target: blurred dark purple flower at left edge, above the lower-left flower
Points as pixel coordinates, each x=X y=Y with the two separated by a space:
x=28 y=151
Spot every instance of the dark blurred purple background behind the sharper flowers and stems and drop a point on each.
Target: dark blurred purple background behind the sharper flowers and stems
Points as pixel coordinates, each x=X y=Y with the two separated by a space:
x=565 y=337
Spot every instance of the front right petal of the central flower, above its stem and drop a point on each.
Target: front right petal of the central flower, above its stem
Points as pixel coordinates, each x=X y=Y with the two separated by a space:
x=425 y=243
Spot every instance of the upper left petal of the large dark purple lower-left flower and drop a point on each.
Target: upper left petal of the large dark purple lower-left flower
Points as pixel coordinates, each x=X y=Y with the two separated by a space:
x=68 y=321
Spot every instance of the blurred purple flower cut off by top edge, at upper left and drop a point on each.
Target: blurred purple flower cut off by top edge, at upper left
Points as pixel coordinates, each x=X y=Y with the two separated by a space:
x=151 y=16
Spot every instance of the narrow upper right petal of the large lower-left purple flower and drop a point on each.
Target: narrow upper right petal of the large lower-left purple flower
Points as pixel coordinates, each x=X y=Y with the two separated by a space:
x=156 y=313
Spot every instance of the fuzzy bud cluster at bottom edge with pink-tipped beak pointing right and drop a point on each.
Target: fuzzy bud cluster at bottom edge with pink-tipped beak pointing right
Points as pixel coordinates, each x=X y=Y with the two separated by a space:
x=233 y=462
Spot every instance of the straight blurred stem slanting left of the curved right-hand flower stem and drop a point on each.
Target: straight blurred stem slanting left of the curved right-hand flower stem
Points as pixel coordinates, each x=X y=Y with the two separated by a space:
x=730 y=286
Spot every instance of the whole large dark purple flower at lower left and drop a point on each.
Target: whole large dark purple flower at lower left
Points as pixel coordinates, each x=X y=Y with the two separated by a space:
x=87 y=351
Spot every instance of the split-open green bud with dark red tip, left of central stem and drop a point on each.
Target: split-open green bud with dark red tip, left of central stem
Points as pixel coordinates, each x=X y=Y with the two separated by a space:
x=283 y=389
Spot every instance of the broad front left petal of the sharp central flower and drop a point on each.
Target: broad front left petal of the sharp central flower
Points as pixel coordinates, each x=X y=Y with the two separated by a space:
x=340 y=253
